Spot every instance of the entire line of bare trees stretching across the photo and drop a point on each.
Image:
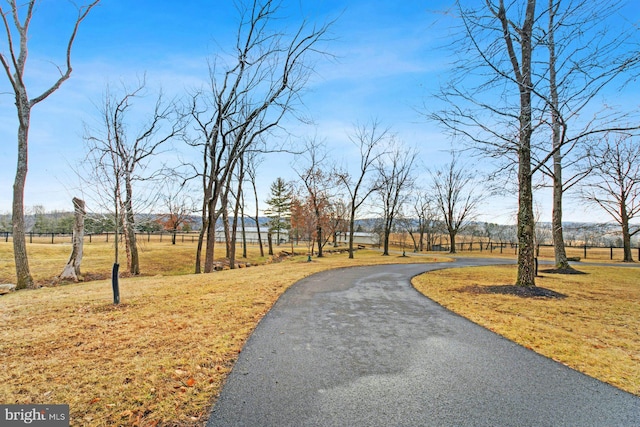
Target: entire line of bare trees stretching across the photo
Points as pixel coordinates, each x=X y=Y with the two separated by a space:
x=525 y=76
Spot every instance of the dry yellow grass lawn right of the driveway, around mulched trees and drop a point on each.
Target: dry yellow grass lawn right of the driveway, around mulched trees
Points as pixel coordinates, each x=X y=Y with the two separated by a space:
x=595 y=330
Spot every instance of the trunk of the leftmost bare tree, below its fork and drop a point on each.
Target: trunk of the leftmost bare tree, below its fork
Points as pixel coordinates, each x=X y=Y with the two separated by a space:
x=23 y=275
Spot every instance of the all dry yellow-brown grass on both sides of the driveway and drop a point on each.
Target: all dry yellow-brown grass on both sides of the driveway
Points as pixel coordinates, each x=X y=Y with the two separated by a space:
x=161 y=356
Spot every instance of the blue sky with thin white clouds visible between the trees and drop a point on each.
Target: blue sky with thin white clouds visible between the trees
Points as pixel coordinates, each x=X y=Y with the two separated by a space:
x=388 y=60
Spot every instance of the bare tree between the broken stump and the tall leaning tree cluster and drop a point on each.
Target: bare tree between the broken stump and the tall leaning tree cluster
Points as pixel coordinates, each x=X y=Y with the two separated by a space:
x=120 y=157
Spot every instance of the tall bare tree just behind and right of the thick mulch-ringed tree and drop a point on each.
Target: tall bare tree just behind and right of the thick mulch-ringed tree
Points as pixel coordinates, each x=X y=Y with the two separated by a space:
x=585 y=56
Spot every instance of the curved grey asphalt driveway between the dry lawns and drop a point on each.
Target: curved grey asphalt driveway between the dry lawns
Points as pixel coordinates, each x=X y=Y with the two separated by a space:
x=361 y=347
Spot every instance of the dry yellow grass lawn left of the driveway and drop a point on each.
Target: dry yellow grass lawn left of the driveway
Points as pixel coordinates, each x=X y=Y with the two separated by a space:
x=161 y=356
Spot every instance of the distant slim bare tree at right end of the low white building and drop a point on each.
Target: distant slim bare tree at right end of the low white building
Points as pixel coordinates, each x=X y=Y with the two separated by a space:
x=395 y=180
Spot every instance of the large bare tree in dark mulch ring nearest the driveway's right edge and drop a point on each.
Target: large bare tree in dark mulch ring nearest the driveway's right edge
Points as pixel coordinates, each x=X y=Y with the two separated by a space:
x=497 y=48
